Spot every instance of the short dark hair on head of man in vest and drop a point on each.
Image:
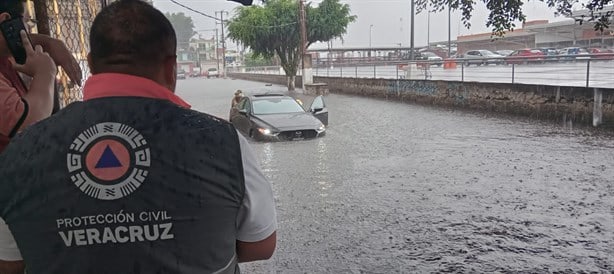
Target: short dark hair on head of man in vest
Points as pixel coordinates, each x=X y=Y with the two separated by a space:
x=131 y=36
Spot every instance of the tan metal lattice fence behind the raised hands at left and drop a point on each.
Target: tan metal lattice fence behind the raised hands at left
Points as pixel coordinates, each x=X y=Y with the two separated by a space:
x=69 y=21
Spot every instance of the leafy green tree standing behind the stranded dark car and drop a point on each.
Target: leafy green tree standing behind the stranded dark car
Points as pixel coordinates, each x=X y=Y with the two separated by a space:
x=273 y=29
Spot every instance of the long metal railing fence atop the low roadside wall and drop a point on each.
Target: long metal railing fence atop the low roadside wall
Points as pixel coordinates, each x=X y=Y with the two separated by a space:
x=586 y=71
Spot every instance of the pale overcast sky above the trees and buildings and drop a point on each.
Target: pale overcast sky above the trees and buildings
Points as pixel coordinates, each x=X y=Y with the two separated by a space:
x=390 y=20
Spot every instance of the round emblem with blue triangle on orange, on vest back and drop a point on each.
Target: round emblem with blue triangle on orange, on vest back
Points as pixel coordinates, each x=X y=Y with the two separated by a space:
x=109 y=161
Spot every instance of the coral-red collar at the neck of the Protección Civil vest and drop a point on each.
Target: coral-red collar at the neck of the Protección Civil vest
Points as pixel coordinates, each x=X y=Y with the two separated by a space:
x=104 y=85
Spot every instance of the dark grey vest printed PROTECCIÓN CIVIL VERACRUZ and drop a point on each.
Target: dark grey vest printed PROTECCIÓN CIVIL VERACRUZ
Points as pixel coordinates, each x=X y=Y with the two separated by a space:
x=124 y=185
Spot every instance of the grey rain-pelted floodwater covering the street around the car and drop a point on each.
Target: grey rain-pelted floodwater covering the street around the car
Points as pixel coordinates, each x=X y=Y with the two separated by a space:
x=401 y=188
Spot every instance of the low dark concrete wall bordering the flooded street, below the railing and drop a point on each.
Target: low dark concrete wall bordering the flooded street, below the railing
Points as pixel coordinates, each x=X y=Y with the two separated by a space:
x=537 y=101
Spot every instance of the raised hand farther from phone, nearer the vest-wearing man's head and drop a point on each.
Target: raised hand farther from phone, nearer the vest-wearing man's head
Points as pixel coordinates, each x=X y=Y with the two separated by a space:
x=61 y=55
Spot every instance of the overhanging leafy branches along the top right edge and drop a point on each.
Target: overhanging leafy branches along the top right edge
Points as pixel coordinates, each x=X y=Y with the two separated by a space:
x=504 y=14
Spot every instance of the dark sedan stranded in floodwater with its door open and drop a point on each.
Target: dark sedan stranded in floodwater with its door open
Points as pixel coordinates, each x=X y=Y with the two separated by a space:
x=277 y=117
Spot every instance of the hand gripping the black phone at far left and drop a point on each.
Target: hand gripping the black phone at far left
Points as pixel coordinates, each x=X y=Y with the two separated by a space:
x=38 y=62
